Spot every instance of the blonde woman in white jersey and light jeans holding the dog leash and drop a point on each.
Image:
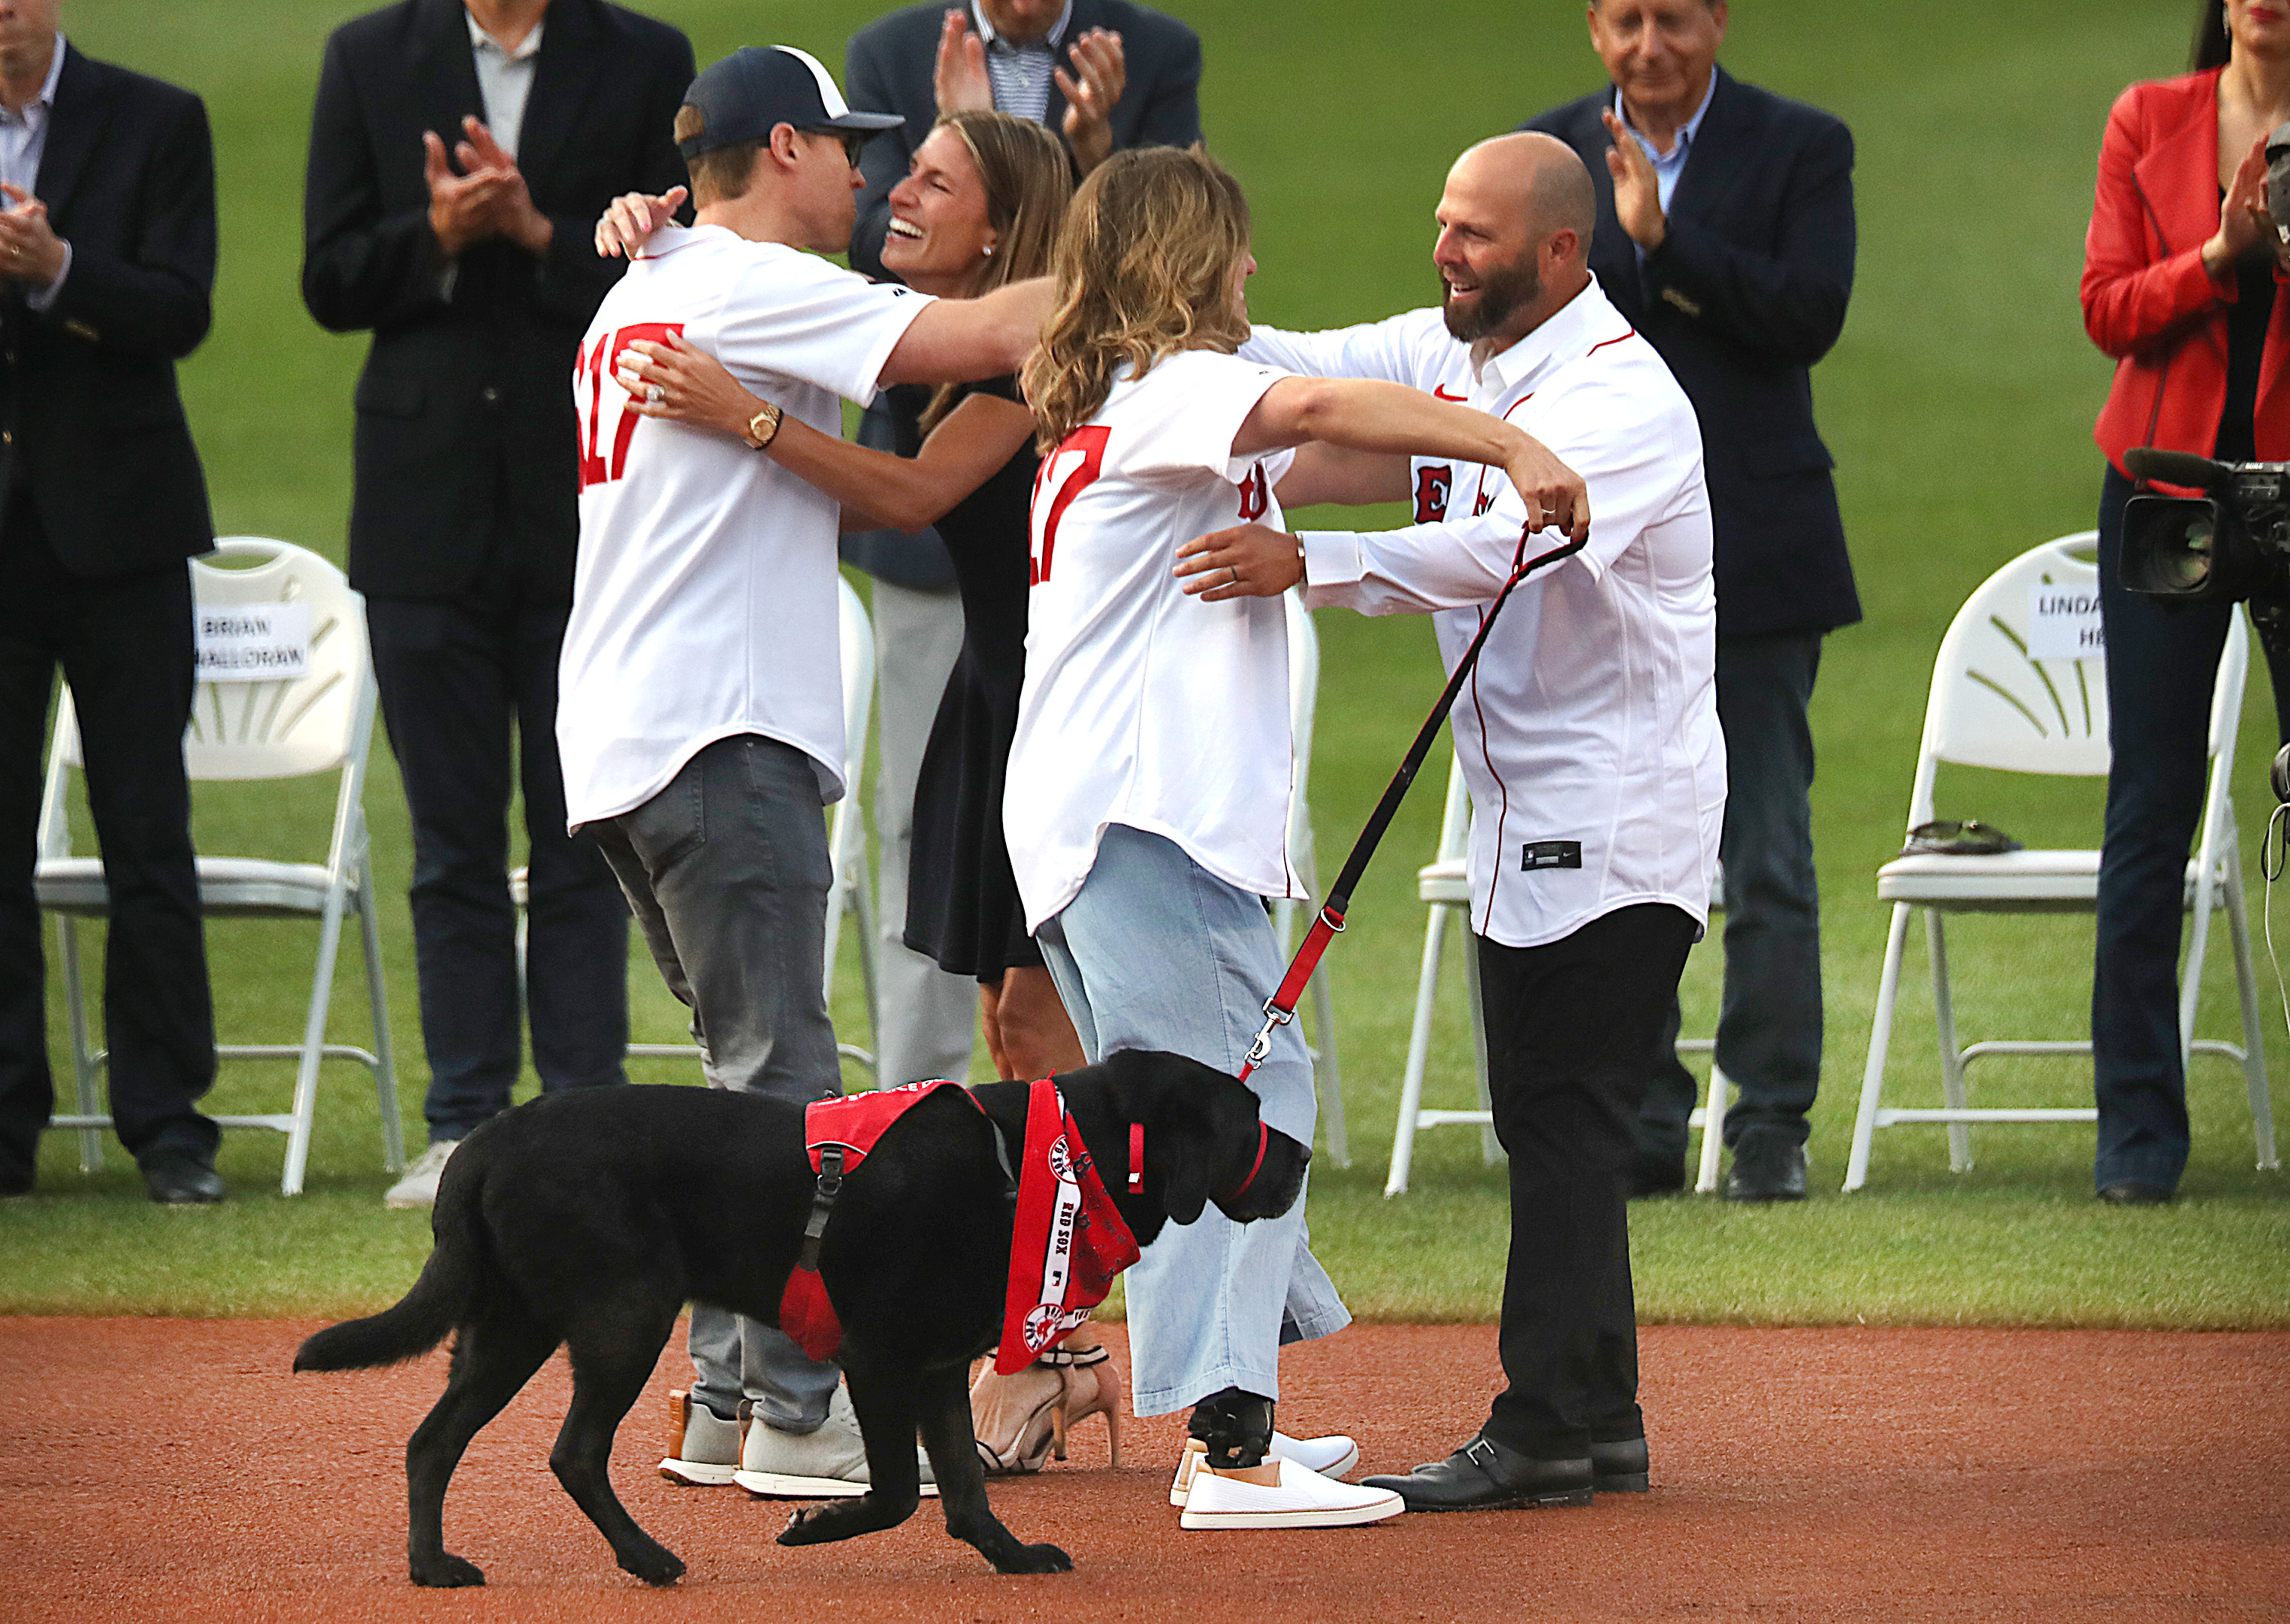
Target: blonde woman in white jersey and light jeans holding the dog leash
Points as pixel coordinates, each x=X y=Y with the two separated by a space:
x=1151 y=773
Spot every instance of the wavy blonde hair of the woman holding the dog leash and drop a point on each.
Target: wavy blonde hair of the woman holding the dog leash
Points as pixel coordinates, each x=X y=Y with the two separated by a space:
x=1146 y=267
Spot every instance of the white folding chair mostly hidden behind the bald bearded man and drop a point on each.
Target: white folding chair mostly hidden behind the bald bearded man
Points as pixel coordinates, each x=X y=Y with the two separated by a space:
x=1446 y=890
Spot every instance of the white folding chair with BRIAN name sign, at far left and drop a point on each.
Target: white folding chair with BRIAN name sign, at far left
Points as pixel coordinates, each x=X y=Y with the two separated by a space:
x=255 y=730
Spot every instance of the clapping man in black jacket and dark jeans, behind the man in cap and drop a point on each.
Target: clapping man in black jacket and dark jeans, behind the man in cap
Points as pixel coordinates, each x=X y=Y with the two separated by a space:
x=477 y=281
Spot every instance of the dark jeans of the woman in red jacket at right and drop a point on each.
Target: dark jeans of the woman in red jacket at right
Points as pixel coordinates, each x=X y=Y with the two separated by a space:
x=2163 y=663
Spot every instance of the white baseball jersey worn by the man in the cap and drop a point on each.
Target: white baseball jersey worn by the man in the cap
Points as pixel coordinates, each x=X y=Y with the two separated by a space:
x=704 y=599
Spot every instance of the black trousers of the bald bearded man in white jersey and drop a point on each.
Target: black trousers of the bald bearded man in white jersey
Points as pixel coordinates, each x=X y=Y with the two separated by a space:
x=1568 y=1036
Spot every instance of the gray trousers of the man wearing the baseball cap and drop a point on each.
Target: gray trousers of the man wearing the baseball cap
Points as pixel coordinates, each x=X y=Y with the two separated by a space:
x=727 y=876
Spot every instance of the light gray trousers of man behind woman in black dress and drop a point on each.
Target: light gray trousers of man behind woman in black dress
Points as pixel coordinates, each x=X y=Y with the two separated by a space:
x=926 y=1018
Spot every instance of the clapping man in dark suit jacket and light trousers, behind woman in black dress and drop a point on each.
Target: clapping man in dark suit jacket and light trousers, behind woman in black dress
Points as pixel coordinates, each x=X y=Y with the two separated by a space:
x=1105 y=77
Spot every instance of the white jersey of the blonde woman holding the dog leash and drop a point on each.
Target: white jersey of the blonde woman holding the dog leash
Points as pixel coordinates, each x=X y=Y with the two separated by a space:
x=1144 y=707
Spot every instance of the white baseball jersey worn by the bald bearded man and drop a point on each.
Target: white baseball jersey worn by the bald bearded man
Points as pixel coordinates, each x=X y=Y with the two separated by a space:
x=1588 y=732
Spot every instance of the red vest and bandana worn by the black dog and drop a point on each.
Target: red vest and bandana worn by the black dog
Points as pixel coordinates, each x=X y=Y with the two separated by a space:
x=1066 y=1245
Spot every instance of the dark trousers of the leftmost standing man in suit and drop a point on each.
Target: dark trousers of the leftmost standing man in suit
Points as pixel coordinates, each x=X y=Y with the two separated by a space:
x=125 y=647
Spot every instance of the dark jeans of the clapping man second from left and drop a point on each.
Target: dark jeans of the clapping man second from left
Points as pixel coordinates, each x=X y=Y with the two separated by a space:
x=455 y=679
